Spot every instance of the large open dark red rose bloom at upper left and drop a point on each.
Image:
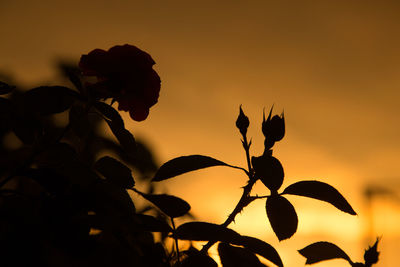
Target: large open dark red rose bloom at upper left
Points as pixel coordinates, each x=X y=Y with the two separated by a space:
x=124 y=73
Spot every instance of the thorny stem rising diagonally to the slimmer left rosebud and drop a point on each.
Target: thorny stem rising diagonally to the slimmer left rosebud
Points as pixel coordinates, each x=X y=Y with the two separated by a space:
x=244 y=200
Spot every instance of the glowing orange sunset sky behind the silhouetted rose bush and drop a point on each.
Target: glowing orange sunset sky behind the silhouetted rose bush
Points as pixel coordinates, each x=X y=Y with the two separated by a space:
x=333 y=66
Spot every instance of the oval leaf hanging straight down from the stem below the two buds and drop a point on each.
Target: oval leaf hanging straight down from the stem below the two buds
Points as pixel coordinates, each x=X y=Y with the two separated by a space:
x=282 y=216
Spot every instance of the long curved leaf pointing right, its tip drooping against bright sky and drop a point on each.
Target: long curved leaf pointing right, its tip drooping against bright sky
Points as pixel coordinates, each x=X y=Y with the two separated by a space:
x=321 y=191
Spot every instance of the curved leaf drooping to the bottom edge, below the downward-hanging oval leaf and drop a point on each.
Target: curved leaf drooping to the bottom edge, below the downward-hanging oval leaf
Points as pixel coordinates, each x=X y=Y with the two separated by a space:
x=262 y=248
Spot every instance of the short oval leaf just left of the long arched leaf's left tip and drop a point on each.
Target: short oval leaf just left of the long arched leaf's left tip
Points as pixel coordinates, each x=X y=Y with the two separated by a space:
x=115 y=172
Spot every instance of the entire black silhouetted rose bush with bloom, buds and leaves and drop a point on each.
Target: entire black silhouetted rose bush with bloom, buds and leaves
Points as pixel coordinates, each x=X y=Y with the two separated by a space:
x=64 y=203
